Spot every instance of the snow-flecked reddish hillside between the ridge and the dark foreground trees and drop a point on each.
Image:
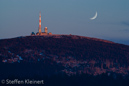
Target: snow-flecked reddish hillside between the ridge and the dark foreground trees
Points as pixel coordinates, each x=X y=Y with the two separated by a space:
x=68 y=54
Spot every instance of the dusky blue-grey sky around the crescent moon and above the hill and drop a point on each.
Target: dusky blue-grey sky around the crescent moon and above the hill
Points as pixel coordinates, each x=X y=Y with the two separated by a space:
x=21 y=17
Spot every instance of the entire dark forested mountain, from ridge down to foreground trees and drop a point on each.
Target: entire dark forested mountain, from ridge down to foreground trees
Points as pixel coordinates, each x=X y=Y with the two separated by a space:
x=65 y=60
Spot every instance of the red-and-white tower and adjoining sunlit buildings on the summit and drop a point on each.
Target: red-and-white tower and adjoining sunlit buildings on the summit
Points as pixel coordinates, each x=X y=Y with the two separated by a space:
x=39 y=29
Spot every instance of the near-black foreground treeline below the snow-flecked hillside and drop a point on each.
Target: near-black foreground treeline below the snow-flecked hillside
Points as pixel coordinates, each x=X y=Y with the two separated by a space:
x=51 y=78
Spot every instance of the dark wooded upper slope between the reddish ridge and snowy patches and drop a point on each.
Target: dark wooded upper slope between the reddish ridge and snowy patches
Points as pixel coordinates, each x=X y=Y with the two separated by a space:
x=81 y=48
